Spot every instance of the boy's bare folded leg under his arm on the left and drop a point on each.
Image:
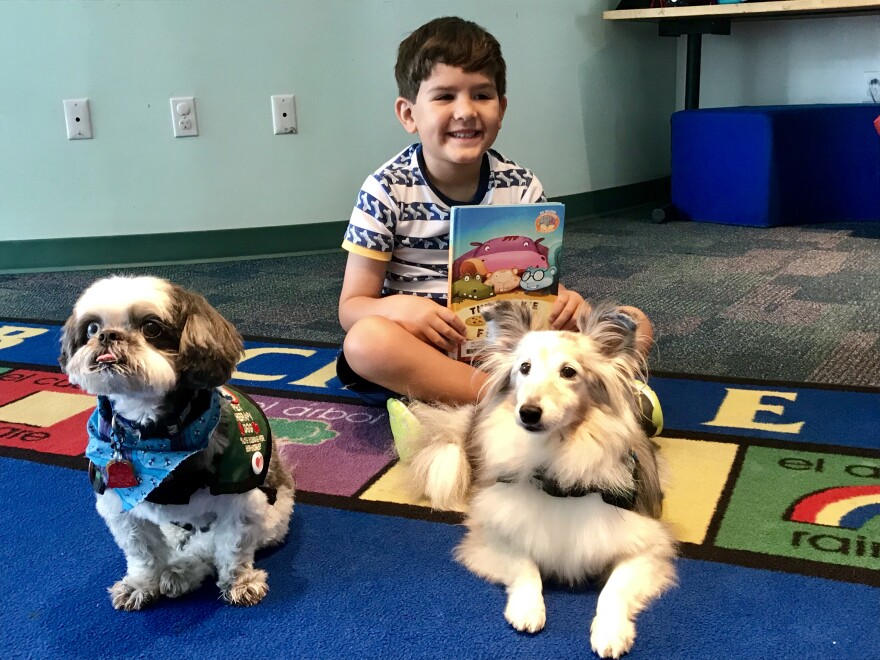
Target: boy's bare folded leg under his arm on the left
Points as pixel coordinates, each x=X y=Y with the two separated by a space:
x=384 y=353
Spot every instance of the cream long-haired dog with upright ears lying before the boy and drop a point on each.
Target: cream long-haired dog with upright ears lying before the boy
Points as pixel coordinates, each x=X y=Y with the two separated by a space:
x=559 y=408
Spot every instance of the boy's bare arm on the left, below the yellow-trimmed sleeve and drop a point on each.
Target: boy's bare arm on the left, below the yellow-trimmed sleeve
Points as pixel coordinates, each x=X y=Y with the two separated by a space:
x=421 y=317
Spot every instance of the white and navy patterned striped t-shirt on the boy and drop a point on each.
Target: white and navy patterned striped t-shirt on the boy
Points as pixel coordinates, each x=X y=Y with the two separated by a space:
x=401 y=218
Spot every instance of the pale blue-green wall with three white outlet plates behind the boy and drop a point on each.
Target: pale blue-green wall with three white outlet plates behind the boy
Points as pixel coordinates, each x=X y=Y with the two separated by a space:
x=589 y=106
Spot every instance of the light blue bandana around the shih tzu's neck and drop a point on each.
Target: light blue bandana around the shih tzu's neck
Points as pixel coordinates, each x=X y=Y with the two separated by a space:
x=153 y=451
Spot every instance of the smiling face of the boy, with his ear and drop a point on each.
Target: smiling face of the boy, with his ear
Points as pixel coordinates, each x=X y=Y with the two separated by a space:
x=457 y=116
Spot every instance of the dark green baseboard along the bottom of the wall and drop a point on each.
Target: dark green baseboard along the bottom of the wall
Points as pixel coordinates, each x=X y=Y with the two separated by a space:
x=139 y=249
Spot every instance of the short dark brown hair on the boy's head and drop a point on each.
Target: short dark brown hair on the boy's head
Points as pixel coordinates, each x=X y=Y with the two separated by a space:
x=452 y=41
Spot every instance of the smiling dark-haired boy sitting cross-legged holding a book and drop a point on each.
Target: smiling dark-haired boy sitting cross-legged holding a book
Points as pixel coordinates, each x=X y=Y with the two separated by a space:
x=451 y=79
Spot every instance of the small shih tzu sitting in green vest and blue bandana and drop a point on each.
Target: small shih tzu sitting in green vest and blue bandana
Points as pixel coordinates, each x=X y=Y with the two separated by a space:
x=183 y=467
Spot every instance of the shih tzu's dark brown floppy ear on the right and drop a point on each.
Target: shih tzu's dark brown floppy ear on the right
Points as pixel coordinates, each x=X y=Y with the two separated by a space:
x=210 y=346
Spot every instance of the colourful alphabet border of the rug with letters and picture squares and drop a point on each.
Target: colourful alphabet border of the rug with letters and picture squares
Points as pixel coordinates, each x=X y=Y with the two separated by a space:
x=772 y=475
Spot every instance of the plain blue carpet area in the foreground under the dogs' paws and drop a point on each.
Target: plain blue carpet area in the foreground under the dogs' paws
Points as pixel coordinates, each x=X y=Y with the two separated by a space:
x=354 y=585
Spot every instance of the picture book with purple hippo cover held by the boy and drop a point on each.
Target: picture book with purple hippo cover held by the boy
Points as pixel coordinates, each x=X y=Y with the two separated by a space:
x=505 y=252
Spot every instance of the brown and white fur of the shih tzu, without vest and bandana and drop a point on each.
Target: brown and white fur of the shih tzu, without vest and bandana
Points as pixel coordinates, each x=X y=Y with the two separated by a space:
x=141 y=341
